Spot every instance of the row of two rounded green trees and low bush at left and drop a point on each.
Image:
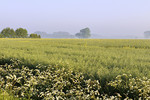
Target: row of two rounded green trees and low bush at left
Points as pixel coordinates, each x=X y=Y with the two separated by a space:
x=18 y=33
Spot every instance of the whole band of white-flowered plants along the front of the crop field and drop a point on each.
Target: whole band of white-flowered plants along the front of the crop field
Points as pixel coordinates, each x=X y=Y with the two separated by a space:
x=53 y=82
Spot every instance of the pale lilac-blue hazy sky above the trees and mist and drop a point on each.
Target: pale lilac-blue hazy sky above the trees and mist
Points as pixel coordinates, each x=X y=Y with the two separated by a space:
x=101 y=16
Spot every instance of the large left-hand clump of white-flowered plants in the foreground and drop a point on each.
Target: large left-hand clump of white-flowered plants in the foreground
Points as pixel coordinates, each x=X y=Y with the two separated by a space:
x=46 y=82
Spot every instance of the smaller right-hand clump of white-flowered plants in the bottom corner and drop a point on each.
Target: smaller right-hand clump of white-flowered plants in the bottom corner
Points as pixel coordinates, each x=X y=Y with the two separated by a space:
x=129 y=87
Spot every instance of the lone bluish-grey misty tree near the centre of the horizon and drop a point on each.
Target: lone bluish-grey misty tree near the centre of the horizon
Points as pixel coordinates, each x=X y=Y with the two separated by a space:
x=84 y=33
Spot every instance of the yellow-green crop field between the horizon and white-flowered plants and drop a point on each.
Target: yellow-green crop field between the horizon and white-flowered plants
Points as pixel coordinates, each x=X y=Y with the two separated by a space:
x=97 y=59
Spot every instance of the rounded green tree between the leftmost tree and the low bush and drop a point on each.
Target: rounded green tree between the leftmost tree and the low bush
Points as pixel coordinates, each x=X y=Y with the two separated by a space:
x=21 y=33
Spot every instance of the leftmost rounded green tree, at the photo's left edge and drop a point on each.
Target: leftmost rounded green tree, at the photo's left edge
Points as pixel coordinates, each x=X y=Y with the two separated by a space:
x=8 y=33
